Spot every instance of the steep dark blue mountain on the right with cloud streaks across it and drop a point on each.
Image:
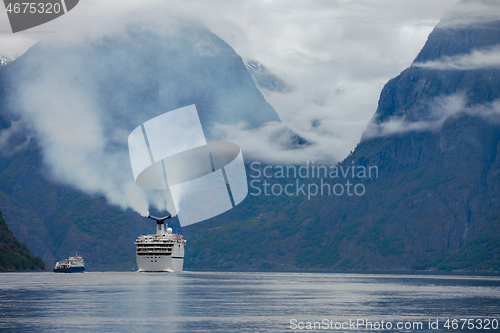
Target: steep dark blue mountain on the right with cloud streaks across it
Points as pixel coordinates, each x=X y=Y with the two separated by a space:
x=435 y=140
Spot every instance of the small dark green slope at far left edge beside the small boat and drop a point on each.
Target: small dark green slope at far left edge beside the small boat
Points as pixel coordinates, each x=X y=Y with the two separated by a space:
x=15 y=255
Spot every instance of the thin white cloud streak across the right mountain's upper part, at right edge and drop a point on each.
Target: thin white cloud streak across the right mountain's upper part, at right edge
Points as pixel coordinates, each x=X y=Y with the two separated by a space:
x=489 y=58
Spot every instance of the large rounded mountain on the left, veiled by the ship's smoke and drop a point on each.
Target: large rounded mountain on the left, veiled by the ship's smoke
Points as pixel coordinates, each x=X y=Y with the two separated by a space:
x=127 y=78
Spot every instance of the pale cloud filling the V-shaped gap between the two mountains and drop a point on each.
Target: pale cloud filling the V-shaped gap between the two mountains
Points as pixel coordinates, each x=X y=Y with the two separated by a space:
x=336 y=56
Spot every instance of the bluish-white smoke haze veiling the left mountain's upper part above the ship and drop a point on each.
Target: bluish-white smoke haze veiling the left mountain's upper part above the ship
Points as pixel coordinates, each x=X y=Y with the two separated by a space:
x=81 y=100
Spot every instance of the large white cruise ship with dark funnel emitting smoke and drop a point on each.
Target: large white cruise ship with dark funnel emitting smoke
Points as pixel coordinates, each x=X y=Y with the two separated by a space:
x=163 y=252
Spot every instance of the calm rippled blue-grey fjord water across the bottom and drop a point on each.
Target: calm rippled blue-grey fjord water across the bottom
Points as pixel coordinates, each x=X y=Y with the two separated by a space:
x=240 y=302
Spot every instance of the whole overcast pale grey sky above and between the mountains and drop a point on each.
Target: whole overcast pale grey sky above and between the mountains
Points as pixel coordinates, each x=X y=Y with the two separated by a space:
x=336 y=54
